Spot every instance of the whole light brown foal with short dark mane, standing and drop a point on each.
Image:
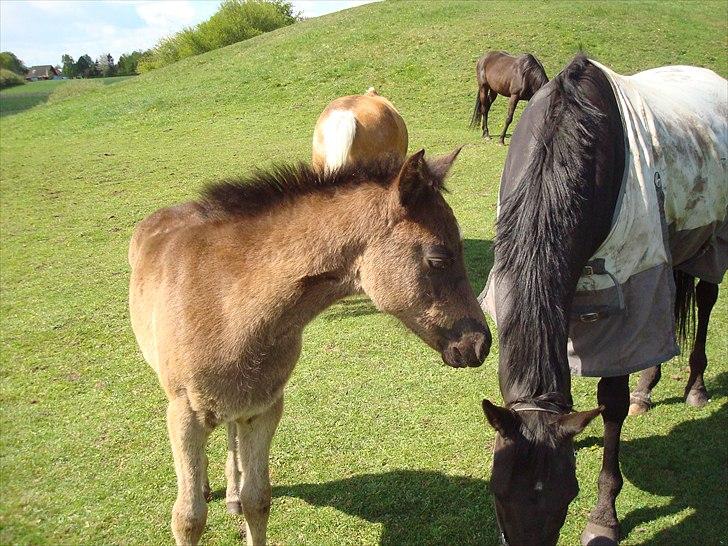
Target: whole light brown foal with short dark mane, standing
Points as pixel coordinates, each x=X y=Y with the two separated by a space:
x=222 y=288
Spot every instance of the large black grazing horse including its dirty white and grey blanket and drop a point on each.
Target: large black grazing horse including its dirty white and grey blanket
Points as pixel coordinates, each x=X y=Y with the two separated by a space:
x=611 y=186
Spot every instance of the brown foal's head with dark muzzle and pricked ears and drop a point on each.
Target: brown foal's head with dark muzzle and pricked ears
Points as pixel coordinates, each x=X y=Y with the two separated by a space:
x=415 y=269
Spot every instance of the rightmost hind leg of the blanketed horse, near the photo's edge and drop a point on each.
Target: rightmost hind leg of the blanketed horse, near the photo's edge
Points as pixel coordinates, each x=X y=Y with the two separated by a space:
x=706 y=294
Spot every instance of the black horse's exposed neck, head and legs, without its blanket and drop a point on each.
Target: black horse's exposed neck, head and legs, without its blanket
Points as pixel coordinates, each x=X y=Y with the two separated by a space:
x=559 y=191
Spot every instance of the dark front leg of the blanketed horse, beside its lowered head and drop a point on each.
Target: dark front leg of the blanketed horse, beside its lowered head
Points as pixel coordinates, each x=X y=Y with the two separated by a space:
x=603 y=526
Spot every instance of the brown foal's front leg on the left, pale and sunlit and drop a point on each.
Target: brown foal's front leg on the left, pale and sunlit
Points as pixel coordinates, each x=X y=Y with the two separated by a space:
x=188 y=435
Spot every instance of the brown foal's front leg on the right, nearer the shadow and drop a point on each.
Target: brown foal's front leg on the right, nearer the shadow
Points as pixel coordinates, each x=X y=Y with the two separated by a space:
x=254 y=437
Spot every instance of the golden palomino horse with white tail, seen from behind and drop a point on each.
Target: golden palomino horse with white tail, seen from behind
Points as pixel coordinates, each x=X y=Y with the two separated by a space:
x=356 y=128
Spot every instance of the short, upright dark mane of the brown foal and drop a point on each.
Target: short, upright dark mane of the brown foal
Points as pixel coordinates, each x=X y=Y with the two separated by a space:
x=265 y=189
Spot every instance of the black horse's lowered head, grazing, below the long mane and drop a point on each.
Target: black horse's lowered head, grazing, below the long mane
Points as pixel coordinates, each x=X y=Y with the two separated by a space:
x=534 y=470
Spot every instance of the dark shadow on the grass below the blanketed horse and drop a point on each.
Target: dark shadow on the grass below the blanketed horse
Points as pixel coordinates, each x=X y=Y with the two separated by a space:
x=687 y=464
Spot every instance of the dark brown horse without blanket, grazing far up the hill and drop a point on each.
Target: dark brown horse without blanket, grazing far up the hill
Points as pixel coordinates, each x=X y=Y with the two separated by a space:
x=515 y=77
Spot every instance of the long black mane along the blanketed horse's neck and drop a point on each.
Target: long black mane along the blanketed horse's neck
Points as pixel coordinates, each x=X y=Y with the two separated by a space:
x=535 y=224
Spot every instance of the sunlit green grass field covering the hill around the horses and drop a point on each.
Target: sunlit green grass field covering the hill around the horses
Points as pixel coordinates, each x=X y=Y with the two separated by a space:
x=380 y=443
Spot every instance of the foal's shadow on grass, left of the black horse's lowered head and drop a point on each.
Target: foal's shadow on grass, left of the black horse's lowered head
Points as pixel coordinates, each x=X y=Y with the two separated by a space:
x=414 y=507
